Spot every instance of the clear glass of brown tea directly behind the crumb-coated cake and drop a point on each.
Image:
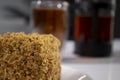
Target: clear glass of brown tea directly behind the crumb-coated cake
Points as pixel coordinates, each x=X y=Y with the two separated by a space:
x=50 y=17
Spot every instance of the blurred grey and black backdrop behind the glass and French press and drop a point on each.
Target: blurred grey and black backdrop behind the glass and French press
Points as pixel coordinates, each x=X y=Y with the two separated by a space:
x=15 y=16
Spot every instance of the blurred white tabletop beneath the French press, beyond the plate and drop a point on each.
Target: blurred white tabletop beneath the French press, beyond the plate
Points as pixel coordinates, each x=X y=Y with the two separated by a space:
x=97 y=68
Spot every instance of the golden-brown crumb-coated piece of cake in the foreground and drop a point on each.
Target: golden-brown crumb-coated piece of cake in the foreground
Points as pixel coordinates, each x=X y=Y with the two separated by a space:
x=29 y=57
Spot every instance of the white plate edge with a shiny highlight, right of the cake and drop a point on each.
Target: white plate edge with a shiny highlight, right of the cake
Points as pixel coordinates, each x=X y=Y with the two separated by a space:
x=72 y=74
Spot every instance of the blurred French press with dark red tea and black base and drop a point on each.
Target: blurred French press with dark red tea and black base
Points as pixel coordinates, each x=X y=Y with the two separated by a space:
x=94 y=27
